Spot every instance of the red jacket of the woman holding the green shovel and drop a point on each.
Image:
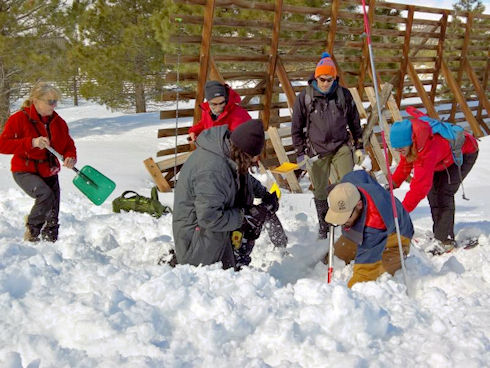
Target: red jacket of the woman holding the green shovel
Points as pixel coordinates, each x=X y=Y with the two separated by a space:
x=16 y=139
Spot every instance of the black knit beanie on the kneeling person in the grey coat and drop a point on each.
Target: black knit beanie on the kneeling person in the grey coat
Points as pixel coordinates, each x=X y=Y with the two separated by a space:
x=249 y=137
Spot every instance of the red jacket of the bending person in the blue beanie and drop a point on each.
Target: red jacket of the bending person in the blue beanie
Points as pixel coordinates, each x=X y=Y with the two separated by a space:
x=433 y=154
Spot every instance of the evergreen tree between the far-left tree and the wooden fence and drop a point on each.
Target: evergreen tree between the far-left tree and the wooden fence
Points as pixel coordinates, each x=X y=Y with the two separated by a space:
x=120 y=59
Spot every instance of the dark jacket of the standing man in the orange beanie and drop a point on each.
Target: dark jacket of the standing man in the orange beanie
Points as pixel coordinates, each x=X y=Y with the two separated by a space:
x=329 y=119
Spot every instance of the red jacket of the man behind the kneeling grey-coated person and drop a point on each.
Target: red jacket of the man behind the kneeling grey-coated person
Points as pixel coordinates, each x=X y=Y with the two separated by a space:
x=233 y=115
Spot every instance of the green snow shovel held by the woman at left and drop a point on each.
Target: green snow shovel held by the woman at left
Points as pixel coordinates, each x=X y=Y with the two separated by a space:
x=96 y=186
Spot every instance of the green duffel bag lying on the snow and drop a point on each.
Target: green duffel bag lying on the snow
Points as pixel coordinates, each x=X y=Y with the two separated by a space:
x=132 y=201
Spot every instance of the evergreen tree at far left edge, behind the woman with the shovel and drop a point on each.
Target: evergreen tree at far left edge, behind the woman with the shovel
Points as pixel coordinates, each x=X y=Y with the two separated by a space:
x=28 y=41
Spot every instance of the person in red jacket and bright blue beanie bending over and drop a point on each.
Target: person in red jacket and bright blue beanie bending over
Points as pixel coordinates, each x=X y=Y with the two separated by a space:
x=435 y=174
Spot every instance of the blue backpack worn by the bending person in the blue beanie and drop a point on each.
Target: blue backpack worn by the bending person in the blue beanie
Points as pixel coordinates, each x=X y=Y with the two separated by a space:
x=453 y=133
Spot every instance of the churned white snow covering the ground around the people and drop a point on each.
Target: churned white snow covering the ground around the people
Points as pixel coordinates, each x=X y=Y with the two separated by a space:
x=98 y=298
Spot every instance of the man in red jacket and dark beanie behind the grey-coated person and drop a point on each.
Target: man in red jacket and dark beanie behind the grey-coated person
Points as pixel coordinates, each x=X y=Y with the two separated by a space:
x=222 y=108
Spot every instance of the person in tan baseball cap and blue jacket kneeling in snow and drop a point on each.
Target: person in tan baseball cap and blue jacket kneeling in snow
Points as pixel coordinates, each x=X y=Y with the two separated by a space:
x=364 y=209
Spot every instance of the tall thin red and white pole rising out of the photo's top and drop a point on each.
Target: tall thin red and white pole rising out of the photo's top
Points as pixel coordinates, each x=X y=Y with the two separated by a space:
x=385 y=150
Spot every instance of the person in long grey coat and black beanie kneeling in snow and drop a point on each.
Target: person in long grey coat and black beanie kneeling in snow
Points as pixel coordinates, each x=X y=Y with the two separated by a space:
x=214 y=196
